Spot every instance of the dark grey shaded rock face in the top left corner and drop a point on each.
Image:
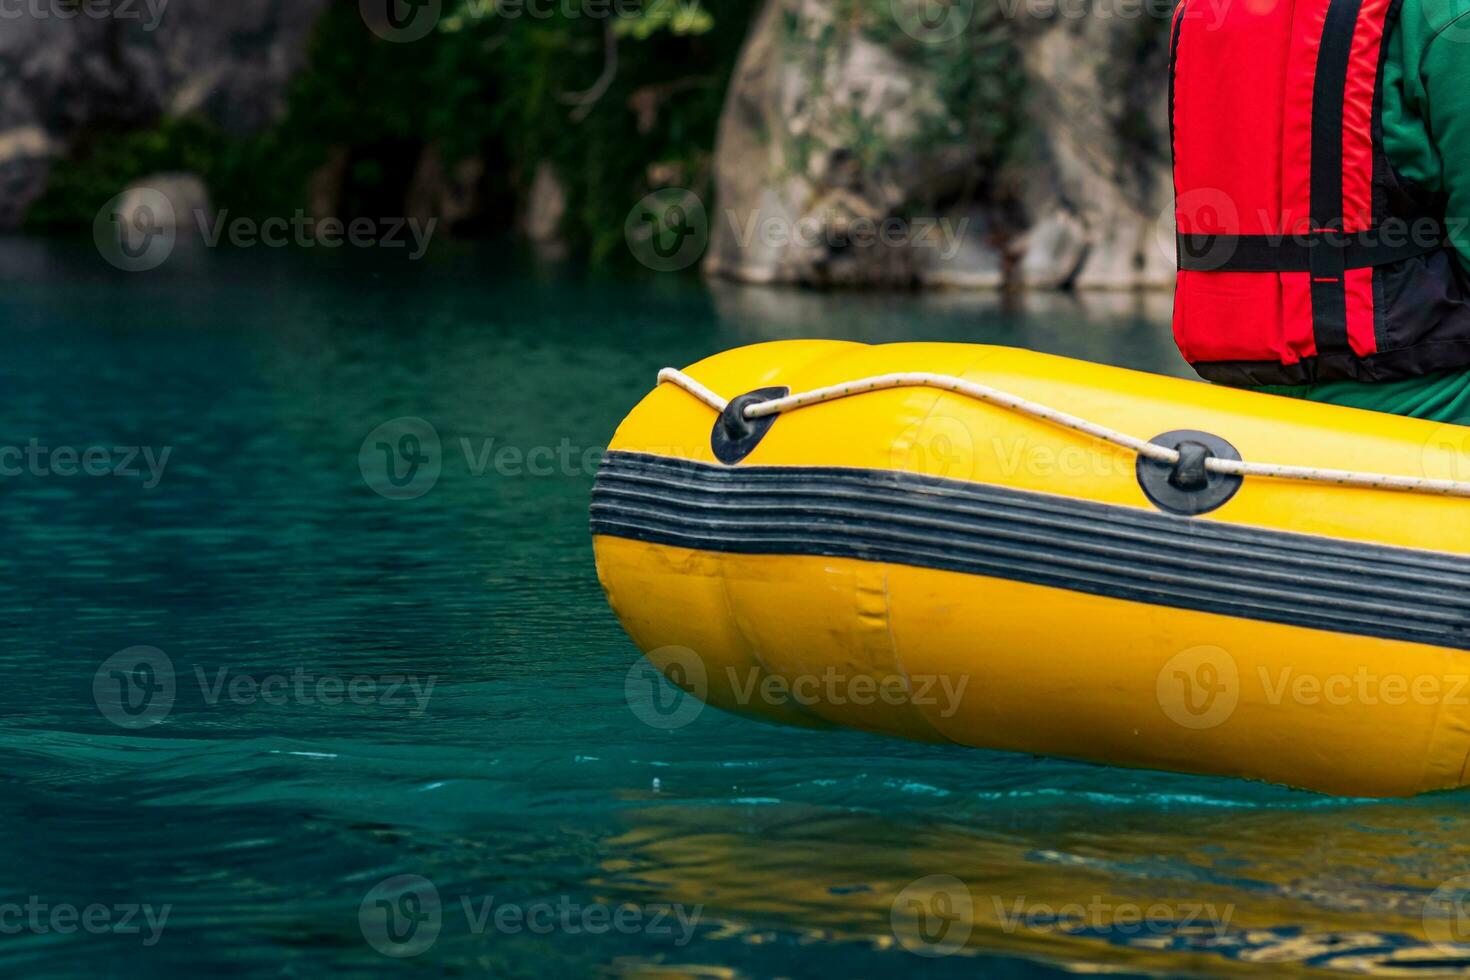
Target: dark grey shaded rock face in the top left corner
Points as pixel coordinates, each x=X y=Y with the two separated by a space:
x=127 y=67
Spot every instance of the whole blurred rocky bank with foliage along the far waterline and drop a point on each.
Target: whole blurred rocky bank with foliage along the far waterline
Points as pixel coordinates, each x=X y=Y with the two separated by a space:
x=864 y=143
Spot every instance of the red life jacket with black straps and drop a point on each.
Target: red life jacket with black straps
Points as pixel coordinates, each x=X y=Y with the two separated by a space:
x=1303 y=255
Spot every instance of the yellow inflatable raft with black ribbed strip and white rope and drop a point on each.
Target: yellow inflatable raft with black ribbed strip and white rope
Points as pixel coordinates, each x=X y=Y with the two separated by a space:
x=993 y=571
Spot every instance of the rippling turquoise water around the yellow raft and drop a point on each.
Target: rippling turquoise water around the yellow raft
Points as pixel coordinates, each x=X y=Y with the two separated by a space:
x=261 y=821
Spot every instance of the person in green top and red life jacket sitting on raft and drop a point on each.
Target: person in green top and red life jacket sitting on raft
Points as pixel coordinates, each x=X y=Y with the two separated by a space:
x=1322 y=180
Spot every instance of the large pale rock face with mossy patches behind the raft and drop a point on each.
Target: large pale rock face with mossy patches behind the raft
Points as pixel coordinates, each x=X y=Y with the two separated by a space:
x=853 y=149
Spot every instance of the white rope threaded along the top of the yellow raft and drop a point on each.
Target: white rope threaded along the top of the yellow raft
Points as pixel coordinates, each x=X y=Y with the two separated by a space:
x=1022 y=406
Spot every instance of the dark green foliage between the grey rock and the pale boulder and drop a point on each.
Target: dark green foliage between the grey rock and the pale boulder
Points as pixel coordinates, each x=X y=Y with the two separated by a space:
x=618 y=107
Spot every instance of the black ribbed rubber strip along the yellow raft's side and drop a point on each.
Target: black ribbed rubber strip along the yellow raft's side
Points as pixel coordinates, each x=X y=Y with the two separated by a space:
x=1064 y=543
